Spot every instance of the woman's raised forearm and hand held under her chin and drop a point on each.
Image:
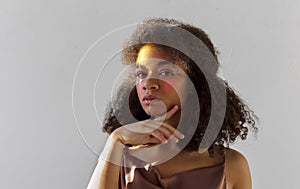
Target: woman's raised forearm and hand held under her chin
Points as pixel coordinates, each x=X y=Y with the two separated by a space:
x=106 y=173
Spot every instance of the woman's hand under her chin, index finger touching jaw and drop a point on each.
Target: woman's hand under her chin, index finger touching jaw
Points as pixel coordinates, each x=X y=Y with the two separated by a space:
x=148 y=131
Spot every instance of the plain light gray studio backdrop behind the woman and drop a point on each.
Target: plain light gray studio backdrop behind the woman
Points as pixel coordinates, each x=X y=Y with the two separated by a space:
x=48 y=48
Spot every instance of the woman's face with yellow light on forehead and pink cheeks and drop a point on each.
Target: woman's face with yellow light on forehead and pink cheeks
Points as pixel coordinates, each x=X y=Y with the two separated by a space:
x=160 y=83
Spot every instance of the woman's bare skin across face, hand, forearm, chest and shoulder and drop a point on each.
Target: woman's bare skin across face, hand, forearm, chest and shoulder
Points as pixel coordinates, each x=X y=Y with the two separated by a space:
x=162 y=129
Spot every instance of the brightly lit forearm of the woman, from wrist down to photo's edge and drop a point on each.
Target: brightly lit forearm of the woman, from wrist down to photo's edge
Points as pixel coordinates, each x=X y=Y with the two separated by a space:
x=106 y=173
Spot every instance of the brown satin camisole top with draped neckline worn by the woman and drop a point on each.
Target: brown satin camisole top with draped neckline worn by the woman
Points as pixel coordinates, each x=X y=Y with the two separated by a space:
x=148 y=177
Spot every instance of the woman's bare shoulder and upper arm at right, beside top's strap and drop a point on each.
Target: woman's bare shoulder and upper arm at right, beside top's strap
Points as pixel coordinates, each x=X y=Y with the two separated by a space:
x=237 y=170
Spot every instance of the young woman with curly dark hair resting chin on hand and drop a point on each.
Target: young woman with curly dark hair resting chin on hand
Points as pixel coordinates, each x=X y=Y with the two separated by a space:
x=173 y=118
